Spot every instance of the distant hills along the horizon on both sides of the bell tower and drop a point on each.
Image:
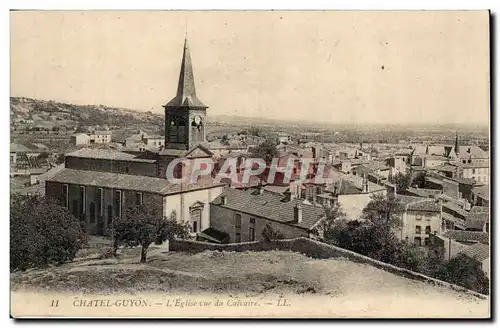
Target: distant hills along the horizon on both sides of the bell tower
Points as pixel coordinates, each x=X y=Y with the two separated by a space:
x=47 y=113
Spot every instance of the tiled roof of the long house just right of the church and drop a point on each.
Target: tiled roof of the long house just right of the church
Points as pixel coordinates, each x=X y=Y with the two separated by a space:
x=269 y=205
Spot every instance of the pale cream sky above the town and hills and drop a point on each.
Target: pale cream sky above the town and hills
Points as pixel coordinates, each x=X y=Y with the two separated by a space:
x=330 y=67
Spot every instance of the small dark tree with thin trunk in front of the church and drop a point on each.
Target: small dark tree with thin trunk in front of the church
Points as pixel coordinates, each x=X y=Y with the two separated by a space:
x=143 y=225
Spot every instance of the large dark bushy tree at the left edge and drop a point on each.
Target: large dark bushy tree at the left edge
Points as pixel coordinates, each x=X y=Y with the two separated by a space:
x=42 y=233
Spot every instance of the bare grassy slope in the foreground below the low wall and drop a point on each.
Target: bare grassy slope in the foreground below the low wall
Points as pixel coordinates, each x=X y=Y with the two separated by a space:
x=374 y=291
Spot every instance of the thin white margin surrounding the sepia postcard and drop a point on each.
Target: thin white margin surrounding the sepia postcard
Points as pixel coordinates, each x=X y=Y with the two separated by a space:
x=187 y=4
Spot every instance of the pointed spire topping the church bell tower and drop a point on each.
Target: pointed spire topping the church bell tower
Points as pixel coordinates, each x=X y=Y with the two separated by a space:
x=186 y=92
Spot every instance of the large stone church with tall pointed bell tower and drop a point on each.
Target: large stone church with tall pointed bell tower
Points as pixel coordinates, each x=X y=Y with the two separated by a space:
x=98 y=185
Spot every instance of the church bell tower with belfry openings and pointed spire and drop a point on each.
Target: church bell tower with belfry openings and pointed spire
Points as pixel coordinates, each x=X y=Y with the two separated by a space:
x=185 y=114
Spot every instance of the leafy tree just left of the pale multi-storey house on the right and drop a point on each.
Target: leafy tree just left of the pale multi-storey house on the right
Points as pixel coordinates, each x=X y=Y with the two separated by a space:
x=383 y=210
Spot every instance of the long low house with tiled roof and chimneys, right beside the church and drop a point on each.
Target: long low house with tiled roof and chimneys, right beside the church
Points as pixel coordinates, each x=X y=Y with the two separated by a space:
x=244 y=214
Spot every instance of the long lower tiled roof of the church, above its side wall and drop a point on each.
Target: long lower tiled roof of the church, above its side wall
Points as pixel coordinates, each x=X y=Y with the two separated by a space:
x=128 y=181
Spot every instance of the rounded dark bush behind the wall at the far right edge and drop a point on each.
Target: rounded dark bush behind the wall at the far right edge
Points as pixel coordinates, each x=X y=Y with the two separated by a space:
x=466 y=272
